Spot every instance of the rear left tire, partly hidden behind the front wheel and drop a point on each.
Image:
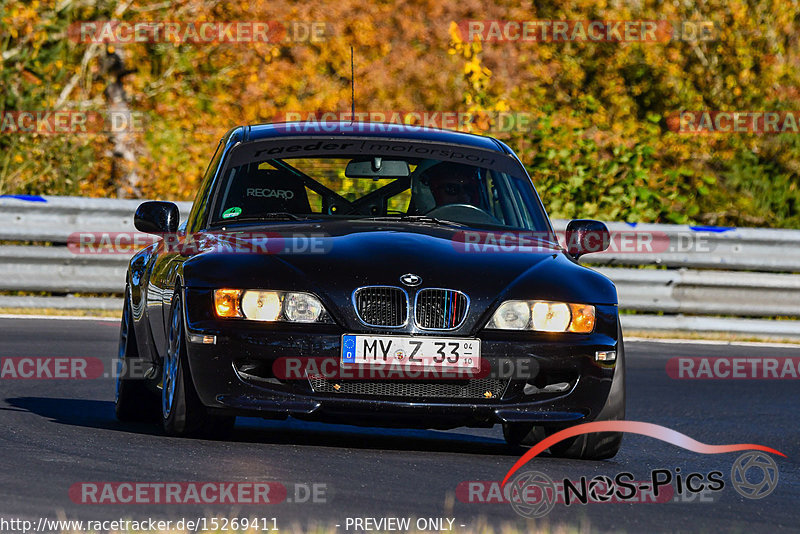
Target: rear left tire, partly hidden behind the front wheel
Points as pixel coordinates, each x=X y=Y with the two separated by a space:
x=134 y=400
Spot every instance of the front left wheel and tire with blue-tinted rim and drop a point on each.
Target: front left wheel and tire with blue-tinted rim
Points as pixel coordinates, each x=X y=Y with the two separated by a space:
x=182 y=412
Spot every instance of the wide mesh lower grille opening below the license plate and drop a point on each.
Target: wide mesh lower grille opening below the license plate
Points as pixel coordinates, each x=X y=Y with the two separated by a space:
x=482 y=388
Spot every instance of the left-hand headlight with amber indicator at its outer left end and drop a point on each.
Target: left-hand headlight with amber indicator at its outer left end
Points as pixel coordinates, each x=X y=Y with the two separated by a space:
x=270 y=306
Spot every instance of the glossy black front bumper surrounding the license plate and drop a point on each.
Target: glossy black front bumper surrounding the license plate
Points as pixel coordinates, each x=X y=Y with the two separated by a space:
x=235 y=375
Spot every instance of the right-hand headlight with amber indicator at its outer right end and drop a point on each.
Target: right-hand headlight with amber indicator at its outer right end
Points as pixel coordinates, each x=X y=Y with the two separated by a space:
x=543 y=316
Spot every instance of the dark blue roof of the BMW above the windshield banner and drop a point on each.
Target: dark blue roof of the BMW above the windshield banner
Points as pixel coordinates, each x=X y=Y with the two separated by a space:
x=370 y=130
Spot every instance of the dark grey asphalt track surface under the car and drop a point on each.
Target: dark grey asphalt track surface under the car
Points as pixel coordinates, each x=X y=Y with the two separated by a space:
x=56 y=433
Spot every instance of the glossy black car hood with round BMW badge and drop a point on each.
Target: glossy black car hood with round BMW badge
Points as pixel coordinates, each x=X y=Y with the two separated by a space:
x=333 y=259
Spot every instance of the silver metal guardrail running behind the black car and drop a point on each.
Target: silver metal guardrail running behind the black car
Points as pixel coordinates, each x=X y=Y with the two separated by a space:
x=685 y=286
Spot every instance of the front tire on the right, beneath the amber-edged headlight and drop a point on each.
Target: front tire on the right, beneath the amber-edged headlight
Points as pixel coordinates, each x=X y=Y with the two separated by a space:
x=599 y=445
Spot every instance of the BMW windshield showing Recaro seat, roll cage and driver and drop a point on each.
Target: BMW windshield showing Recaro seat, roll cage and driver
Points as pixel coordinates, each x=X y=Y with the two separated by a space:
x=359 y=187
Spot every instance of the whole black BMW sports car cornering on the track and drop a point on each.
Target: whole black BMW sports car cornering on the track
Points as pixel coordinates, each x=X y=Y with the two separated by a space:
x=370 y=274
